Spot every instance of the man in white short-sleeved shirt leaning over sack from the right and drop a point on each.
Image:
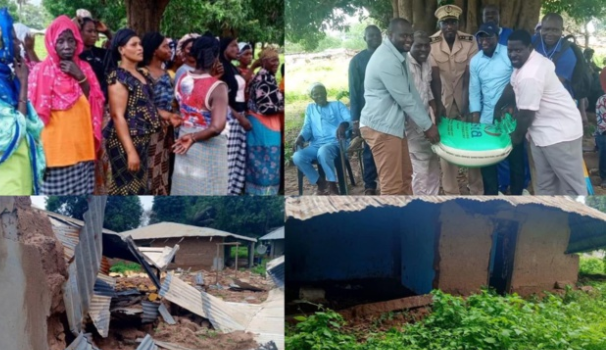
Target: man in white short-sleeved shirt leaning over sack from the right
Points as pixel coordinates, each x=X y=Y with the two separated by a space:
x=548 y=115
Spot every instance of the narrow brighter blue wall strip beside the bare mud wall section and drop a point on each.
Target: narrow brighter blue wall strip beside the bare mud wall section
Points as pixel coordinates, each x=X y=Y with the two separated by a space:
x=419 y=246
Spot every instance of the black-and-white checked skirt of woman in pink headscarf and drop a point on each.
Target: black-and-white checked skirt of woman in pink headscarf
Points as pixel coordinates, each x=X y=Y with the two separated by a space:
x=73 y=180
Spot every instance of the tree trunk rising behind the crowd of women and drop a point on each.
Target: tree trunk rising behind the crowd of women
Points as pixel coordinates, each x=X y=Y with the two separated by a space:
x=145 y=15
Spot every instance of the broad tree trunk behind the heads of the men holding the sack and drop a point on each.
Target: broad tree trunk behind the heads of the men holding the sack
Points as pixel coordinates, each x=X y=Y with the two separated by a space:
x=519 y=14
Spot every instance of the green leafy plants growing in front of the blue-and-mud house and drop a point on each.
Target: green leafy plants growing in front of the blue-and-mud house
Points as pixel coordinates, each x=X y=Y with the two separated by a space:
x=485 y=321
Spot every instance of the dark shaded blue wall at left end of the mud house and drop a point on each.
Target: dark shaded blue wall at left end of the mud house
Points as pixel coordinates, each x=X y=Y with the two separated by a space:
x=343 y=246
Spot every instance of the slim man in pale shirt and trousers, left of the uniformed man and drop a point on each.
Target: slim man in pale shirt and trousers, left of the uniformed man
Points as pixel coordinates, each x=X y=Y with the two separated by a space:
x=426 y=164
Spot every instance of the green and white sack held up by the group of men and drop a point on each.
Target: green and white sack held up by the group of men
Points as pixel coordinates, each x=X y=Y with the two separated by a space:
x=475 y=144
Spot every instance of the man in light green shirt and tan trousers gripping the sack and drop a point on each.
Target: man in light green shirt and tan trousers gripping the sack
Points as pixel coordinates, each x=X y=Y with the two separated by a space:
x=390 y=93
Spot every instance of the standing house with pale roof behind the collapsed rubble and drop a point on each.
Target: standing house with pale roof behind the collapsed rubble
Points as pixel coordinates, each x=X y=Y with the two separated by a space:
x=200 y=247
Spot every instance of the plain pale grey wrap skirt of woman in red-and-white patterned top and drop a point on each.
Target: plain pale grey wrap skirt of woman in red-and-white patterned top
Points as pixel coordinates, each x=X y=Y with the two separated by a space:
x=203 y=170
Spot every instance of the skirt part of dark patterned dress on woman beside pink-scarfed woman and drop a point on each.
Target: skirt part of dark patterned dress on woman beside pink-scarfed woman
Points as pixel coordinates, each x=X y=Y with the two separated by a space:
x=124 y=182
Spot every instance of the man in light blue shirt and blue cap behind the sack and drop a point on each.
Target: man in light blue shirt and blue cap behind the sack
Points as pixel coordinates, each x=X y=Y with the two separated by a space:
x=490 y=72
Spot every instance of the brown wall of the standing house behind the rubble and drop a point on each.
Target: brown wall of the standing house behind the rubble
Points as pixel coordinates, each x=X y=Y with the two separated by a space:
x=193 y=252
